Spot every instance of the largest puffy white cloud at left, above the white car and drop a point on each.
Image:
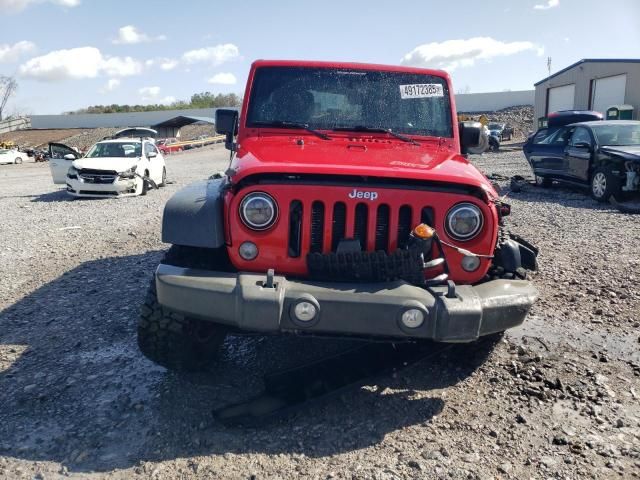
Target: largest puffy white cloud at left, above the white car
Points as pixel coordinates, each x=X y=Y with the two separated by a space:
x=78 y=63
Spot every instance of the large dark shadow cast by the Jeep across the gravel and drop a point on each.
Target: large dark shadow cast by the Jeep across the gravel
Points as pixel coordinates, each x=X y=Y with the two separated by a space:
x=80 y=393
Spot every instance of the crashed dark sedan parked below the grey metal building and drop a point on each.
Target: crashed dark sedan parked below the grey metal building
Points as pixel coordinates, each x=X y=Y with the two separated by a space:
x=605 y=155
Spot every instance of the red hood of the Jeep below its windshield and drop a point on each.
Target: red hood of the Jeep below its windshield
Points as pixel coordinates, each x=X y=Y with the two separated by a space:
x=360 y=156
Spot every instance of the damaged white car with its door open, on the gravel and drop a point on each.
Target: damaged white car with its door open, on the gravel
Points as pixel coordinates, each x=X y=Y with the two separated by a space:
x=127 y=164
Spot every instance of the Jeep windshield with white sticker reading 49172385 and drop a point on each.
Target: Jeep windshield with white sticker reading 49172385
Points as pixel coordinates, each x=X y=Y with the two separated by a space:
x=325 y=98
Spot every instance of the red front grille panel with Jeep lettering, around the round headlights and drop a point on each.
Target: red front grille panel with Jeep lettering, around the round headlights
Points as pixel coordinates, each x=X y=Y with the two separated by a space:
x=314 y=218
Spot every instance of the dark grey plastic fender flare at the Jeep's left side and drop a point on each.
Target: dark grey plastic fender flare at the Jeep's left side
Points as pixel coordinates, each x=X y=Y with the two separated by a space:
x=194 y=216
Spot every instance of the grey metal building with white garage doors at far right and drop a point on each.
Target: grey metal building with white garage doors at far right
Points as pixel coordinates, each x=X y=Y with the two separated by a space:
x=590 y=84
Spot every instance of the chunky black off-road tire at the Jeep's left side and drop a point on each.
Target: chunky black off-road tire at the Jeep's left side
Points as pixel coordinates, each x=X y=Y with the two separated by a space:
x=173 y=340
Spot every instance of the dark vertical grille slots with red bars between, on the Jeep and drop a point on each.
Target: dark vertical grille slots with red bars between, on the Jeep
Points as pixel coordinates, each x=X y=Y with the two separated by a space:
x=370 y=224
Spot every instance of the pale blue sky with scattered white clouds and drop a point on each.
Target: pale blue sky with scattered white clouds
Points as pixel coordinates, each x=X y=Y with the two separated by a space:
x=70 y=54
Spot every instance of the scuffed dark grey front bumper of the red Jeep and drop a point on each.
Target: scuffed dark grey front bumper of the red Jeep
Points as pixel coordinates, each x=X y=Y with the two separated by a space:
x=370 y=309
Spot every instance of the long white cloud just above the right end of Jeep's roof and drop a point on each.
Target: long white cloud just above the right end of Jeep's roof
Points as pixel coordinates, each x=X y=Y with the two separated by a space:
x=452 y=54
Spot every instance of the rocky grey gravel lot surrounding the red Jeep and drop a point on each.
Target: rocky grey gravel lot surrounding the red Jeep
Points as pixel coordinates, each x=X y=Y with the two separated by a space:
x=555 y=398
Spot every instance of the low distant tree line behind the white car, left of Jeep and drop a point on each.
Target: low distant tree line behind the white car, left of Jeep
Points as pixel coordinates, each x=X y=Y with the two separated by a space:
x=197 y=100
